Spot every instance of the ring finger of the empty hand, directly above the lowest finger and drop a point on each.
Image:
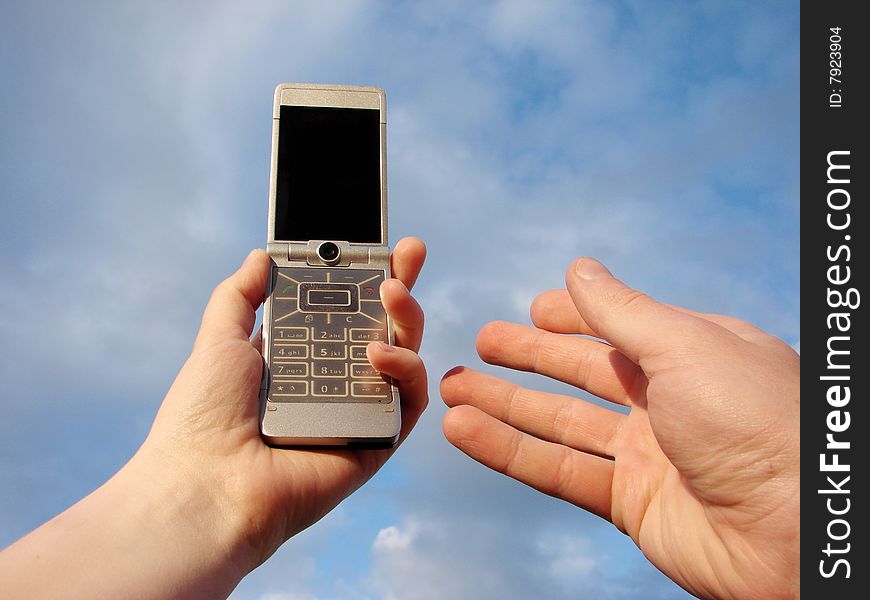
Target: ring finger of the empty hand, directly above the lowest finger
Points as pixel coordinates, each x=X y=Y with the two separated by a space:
x=552 y=417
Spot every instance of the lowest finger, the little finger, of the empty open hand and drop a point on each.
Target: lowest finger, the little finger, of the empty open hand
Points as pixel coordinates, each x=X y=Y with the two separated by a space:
x=579 y=478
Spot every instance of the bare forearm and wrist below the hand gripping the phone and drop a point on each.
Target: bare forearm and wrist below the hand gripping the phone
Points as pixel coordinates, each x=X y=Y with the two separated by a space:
x=151 y=531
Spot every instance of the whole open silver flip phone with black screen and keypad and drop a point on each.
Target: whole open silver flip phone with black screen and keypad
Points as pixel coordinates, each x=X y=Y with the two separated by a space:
x=327 y=238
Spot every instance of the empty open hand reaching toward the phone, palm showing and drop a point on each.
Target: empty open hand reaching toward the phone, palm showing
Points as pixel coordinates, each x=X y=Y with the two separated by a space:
x=701 y=472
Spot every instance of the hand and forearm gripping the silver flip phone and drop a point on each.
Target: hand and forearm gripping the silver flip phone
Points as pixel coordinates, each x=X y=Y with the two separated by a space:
x=204 y=501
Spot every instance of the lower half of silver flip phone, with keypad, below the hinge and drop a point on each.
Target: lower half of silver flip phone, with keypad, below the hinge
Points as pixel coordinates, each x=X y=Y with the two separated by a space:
x=318 y=386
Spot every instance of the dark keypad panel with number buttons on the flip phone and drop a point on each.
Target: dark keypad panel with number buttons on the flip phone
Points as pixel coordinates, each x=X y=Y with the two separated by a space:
x=322 y=320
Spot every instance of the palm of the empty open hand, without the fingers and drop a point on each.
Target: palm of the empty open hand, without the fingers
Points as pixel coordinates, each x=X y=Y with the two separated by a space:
x=711 y=497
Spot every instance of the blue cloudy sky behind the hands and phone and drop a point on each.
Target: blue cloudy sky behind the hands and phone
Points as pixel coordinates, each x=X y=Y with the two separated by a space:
x=660 y=137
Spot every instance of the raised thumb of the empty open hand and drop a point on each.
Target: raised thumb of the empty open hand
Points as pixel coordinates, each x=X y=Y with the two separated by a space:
x=631 y=321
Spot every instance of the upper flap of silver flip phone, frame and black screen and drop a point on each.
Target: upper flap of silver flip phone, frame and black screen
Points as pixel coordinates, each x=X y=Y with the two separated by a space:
x=328 y=173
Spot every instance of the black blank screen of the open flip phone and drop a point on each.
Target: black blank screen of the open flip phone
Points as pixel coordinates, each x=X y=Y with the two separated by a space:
x=329 y=175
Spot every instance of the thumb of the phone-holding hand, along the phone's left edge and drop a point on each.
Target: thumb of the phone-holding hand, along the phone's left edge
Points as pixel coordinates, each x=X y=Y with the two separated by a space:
x=231 y=311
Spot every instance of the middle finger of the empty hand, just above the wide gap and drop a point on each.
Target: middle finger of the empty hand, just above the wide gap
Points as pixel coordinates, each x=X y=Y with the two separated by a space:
x=588 y=364
